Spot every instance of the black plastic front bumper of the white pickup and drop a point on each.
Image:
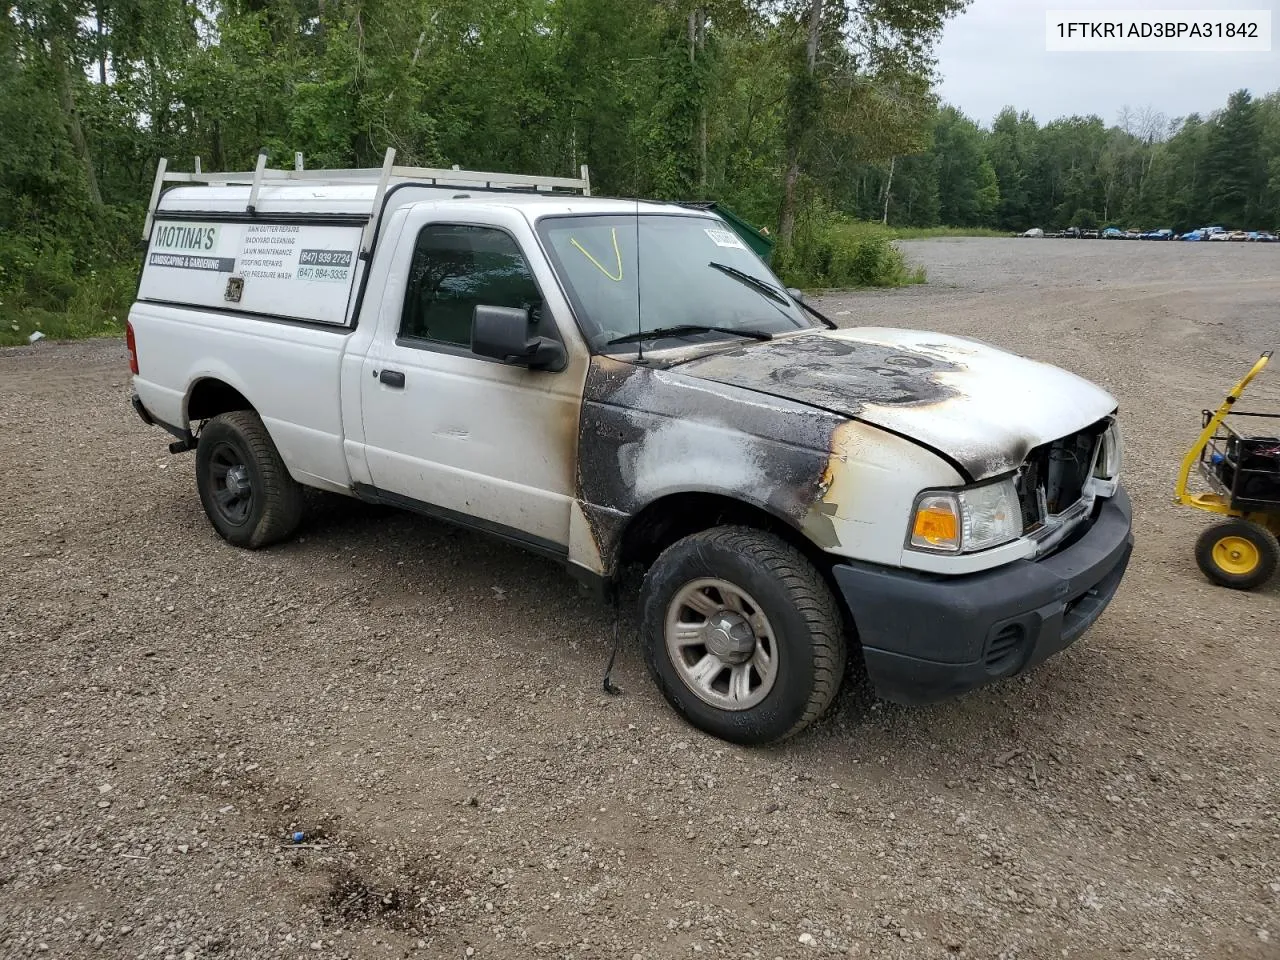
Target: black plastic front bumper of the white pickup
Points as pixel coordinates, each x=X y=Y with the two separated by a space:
x=927 y=638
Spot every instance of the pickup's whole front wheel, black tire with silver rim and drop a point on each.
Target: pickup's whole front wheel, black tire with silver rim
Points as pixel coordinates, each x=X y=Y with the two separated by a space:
x=762 y=601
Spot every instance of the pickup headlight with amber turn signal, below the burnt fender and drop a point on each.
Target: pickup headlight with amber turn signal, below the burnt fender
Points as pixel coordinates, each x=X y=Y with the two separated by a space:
x=963 y=522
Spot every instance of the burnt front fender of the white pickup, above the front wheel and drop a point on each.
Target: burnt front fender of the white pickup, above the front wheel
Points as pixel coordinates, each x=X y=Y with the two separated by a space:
x=648 y=433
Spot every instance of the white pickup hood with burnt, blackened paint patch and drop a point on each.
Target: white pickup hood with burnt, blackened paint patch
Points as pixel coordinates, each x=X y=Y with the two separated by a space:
x=982 y=408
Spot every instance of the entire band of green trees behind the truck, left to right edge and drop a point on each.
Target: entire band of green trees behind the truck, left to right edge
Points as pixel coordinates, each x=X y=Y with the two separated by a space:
x=793 y=113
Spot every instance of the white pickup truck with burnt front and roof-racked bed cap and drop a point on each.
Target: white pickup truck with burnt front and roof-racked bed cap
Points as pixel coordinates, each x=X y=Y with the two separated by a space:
x=618 y=385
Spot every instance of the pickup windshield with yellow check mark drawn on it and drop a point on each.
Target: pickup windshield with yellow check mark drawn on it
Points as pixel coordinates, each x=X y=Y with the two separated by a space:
x=694 y=272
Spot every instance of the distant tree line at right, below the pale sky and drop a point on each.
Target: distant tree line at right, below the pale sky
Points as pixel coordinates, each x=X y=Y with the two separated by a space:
x=1145 y=171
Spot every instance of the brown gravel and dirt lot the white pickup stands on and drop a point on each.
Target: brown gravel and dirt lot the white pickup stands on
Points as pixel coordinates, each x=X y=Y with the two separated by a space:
x=426 y=706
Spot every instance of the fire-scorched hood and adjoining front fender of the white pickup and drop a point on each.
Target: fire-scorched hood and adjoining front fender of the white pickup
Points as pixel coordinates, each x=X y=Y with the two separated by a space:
x=820 y=429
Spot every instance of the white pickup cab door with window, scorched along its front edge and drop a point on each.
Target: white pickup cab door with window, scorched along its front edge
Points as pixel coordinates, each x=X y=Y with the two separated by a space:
x=460 y=436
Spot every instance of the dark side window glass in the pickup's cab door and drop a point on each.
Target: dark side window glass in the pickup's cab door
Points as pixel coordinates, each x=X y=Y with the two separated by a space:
x=458 y=268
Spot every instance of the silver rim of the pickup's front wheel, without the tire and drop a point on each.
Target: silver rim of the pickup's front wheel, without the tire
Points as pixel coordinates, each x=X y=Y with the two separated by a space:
x=721 y=644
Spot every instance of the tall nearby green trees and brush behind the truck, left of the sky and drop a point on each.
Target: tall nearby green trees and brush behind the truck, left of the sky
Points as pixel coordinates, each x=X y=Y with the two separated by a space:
x=674 y=100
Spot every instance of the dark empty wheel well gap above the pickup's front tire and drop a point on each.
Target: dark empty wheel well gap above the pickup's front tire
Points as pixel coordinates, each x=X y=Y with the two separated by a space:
x=668 y=520
